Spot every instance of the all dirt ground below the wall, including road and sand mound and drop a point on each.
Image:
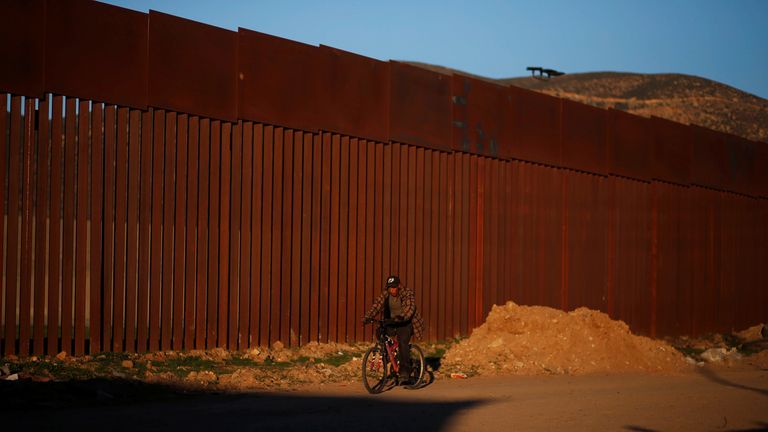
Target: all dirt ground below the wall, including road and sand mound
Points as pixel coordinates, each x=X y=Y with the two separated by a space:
x=525 y=368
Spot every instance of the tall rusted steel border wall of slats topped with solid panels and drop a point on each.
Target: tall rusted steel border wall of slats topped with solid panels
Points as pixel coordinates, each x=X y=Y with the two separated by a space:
x=230 y=189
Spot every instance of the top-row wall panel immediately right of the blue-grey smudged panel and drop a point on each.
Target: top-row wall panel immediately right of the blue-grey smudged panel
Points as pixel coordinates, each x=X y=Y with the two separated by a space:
x=535 y=123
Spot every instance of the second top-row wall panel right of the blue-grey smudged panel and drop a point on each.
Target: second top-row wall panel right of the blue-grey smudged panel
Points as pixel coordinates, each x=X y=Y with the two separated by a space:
x=584 y=137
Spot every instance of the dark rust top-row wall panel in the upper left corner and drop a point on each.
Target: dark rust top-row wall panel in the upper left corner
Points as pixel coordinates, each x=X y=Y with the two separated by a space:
x=22 y=50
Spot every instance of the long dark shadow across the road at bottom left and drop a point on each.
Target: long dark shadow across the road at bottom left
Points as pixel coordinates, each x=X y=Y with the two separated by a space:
x=133 y=405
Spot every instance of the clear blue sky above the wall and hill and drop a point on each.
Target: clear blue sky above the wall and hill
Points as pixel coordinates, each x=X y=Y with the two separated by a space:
x=725 y=40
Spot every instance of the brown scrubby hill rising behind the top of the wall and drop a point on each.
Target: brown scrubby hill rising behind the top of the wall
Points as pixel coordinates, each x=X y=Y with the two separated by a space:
x=681 y=98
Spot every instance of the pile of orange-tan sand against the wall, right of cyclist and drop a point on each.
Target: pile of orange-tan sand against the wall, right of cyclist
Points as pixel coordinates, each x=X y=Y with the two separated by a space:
x=529 y=340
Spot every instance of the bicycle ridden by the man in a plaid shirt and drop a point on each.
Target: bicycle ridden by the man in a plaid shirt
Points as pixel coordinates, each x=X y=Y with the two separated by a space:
x=380 y=364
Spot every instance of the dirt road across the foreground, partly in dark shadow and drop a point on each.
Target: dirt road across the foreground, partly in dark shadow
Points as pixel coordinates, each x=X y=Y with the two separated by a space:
x=709 y=399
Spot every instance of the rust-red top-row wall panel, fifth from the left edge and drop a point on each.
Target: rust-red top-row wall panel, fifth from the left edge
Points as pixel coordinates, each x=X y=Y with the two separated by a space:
x=354 y=94
